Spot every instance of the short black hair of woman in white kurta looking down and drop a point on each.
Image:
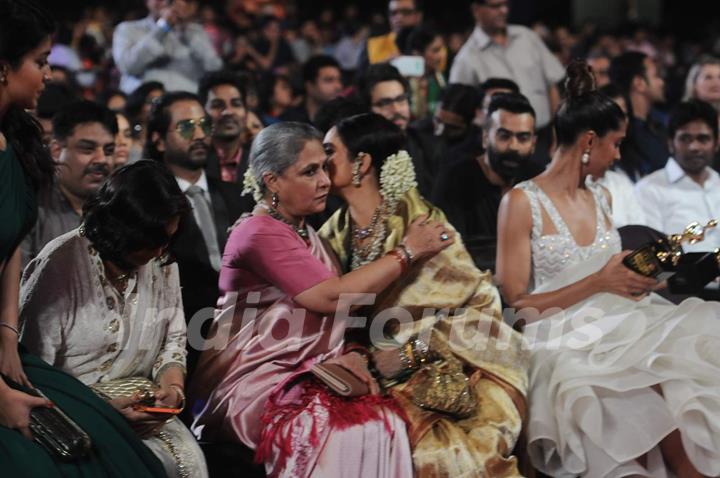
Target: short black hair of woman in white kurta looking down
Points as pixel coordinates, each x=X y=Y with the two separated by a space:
x=131 y=210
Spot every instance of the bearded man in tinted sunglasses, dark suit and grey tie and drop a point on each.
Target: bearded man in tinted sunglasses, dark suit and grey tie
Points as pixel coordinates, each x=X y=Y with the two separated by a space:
x=179 y=135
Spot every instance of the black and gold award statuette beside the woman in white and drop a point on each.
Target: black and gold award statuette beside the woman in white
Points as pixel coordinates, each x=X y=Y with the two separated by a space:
x=663 y=258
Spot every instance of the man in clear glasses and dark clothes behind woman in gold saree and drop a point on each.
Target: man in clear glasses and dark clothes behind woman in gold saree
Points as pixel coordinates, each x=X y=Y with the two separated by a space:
x=386 y=92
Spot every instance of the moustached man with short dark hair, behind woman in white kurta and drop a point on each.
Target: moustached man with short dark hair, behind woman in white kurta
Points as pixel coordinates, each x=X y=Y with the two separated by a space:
x=82 y=144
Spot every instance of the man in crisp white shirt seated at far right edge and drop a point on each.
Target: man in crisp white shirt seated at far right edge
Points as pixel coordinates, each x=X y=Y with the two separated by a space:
x=686 y=189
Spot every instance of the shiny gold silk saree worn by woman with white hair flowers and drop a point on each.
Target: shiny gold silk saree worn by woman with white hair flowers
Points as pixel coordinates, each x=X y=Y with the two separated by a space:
x=466 y=329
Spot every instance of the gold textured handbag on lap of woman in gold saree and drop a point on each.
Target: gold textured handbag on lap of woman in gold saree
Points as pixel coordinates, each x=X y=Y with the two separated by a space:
x=443 y=387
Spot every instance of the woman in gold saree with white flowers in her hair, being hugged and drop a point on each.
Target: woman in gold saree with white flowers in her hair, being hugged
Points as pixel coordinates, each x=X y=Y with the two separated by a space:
x=457 y=370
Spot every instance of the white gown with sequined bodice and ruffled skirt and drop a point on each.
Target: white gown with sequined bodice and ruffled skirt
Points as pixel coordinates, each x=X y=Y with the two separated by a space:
x=593 y=410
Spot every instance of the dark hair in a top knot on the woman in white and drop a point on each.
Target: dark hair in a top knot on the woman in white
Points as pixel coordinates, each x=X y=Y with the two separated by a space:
x=584 y=108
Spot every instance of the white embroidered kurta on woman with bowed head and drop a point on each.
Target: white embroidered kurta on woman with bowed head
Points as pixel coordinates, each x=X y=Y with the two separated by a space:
x=74 y=319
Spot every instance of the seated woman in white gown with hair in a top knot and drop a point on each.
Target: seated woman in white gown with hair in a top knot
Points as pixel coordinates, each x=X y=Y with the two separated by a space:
x=622 y=382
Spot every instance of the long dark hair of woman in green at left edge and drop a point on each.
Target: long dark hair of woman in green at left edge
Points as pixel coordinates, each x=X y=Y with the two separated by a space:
x=23 y=27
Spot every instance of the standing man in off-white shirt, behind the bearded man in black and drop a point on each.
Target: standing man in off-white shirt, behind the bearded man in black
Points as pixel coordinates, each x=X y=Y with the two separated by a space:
x=499 y=50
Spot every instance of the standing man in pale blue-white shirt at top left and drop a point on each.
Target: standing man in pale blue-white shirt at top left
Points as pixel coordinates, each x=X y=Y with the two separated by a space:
x=166 y=46
